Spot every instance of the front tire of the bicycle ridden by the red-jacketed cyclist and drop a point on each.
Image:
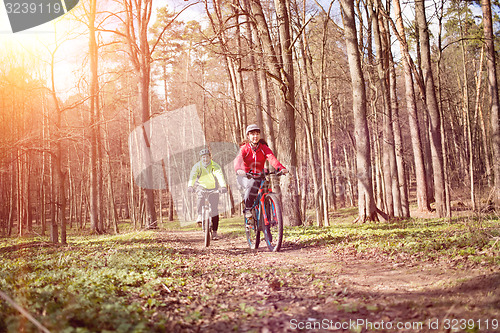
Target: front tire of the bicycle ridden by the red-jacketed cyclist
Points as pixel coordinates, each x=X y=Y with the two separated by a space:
x=273 y=232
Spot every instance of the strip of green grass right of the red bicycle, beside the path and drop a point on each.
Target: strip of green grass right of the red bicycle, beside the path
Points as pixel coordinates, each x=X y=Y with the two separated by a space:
x=472 y=239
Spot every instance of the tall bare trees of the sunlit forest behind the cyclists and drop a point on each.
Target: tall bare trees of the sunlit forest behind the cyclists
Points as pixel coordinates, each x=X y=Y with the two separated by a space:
x=392 y=109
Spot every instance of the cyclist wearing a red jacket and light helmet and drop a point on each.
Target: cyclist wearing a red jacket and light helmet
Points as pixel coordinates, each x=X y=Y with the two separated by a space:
x=252 y=156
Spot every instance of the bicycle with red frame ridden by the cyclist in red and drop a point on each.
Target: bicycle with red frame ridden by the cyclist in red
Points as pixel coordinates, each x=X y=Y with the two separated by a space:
x=266 y=214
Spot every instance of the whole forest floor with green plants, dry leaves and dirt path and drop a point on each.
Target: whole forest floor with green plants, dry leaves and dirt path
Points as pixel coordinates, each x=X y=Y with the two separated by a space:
x=415 y=276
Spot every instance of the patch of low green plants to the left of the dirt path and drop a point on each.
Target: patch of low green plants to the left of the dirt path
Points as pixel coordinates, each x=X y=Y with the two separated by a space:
x=95 y=283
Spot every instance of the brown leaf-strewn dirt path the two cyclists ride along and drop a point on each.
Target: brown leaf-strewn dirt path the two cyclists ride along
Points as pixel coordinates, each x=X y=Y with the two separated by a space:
x=323 y=289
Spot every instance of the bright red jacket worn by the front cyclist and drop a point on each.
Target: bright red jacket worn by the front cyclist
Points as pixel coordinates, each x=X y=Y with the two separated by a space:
x=252 y=159
